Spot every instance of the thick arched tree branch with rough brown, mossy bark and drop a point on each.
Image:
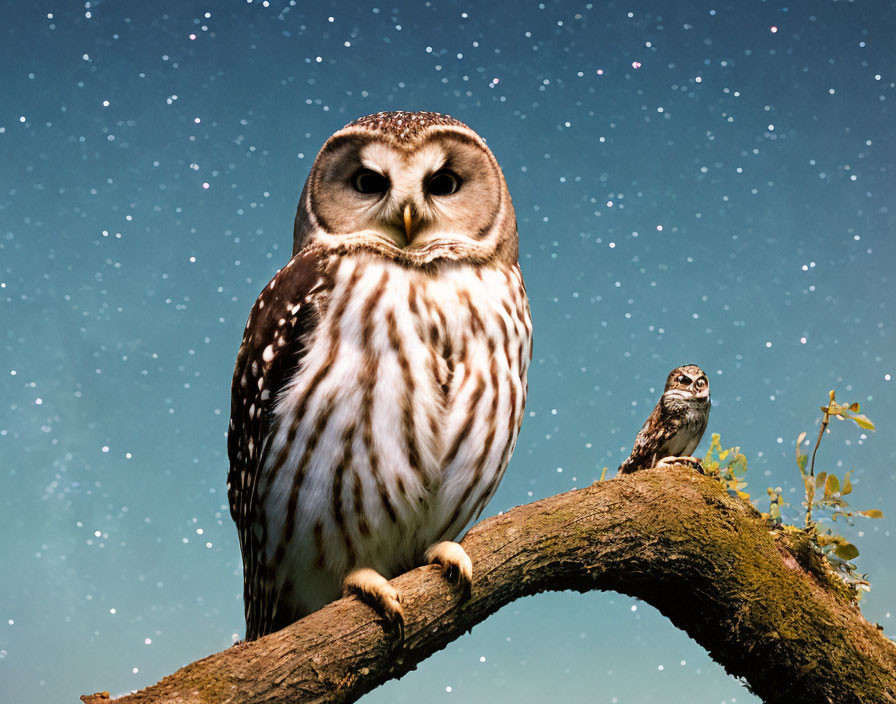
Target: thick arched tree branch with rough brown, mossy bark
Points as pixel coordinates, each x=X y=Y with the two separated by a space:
x=762 y=603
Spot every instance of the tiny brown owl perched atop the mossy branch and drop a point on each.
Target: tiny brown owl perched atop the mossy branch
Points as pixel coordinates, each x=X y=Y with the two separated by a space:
x=674 y=428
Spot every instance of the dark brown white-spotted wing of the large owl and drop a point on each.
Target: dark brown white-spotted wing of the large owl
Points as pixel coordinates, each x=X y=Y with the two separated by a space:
x=271 y=350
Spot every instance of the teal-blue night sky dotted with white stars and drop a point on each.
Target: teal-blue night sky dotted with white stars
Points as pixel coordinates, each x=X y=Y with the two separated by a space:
x=694 y=182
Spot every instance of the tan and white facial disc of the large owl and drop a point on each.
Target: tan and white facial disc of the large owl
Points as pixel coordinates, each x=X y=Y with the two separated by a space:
x=444 y=192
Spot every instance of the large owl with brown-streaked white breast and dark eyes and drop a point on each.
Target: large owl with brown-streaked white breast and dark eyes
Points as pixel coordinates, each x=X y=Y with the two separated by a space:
x=381 y=380
